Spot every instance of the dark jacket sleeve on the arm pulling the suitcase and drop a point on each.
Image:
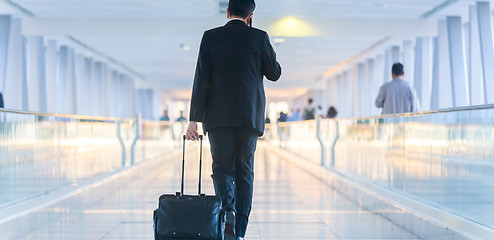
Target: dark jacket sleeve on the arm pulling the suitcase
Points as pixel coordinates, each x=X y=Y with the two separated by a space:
x=201 y=82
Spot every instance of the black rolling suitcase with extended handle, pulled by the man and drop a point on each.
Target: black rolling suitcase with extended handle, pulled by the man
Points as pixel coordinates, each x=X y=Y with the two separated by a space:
x=191 y=217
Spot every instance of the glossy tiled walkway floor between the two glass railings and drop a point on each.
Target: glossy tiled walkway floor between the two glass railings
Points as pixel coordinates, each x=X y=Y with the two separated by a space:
x=288 y=204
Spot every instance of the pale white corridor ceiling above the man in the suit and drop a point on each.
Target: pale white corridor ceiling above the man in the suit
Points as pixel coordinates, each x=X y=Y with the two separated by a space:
x=163 y=62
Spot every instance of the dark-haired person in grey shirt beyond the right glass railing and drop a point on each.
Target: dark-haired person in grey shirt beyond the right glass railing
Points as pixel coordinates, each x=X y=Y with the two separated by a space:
x=397 y=96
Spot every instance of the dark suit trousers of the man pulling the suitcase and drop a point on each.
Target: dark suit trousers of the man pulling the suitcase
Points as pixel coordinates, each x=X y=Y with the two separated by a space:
x=233 y=151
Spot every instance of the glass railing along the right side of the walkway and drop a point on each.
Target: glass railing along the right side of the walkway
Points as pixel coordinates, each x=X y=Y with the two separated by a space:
x=445 y=157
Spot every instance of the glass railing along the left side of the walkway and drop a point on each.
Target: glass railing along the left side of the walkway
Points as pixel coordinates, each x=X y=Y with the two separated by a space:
x=40 y=153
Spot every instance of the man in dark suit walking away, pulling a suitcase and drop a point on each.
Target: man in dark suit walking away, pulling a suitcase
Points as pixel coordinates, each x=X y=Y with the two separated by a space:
x=228 y=98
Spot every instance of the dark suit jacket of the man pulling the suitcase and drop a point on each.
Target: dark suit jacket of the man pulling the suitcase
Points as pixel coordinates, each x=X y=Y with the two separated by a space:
x=228 y=86
